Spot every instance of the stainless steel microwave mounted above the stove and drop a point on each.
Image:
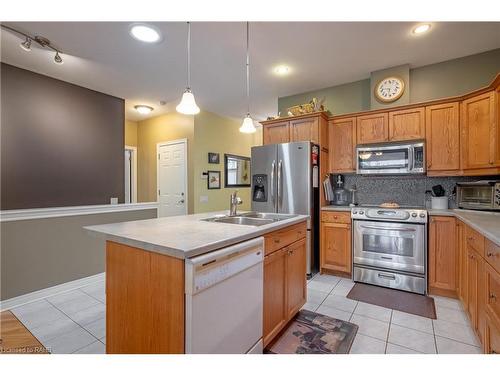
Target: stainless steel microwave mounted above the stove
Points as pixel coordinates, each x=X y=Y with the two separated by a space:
x=391 y=158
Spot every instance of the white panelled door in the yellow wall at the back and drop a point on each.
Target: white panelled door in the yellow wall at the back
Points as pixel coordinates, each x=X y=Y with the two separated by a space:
x=172 y=175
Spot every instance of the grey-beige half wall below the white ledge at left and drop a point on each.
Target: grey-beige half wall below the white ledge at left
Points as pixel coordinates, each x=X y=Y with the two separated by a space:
x=40 y=253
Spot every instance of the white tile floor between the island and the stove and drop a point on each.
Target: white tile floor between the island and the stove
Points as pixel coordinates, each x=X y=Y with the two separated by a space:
x=383 y=330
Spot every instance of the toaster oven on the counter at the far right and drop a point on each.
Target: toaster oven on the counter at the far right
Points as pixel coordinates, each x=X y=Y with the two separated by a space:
x=479 y=195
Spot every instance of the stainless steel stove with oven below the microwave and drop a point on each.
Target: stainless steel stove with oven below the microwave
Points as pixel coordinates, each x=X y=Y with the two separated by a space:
x=390 y=247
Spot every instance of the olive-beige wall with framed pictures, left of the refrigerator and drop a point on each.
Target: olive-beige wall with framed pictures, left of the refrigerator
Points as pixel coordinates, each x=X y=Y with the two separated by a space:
x=214 y=133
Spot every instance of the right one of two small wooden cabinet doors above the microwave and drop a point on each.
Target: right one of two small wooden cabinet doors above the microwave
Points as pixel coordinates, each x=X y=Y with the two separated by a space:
x=407 y=124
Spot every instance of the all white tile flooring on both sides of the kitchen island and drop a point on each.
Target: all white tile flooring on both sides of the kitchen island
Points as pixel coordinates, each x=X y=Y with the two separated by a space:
x=74 y=322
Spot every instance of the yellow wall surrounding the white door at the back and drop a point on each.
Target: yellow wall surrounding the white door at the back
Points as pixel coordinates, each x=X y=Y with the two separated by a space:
x=150 y=132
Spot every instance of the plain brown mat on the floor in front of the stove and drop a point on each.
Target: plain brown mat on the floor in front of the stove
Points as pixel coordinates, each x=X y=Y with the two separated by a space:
x=411 y=303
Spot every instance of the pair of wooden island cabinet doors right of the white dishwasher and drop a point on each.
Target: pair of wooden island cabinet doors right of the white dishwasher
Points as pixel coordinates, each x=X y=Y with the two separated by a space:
x=285 y=286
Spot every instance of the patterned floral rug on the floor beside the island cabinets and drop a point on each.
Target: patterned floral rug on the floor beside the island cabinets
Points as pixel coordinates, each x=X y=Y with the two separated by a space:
x=313 y=333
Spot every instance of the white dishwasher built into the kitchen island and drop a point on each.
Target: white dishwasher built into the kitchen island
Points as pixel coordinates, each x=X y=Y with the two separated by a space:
x=224 y=300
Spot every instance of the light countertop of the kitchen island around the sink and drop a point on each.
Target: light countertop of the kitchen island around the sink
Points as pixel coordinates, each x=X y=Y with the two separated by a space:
x=184 y=236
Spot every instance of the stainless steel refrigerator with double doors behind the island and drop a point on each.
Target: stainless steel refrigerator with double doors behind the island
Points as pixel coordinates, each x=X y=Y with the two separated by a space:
x=285 y=180
